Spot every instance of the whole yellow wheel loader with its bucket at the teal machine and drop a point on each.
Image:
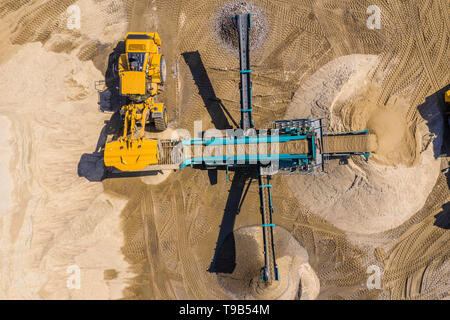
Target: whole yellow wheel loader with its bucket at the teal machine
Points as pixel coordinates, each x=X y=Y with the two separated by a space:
x=142 y=72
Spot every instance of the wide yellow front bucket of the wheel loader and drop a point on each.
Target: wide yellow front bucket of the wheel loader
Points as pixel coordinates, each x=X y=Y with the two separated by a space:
x=131 y=154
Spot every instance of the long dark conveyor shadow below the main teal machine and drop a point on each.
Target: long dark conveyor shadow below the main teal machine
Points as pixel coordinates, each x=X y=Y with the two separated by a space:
x=224 y=260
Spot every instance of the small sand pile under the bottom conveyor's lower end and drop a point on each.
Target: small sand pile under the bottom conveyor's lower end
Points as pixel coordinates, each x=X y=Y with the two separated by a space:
x=243 y=251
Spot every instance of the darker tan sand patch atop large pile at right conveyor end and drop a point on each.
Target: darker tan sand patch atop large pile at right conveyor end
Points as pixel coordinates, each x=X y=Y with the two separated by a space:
x=396 y=134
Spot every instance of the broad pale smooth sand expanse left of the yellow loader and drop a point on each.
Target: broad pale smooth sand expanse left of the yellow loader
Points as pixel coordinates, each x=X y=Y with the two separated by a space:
x=52 y=219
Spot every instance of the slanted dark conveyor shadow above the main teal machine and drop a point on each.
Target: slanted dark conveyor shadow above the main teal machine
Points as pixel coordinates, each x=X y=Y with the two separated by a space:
x=214 y=105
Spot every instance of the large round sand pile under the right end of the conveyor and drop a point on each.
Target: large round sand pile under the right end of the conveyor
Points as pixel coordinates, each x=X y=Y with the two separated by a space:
x=383 y=193
